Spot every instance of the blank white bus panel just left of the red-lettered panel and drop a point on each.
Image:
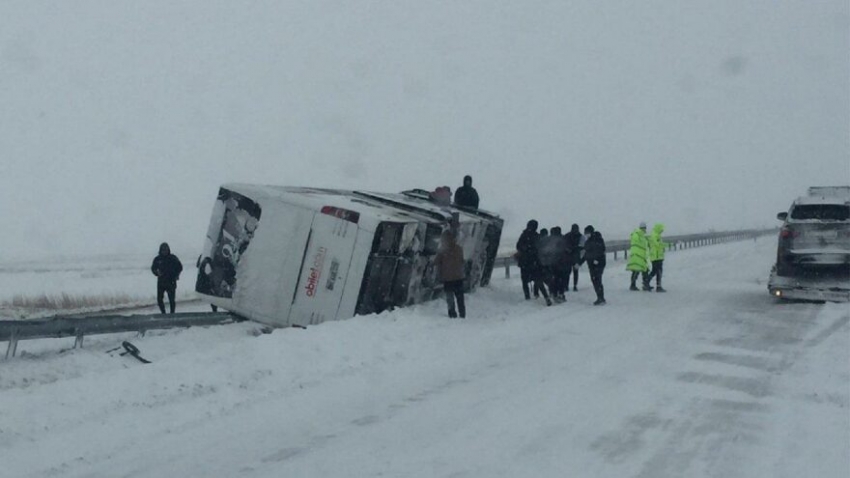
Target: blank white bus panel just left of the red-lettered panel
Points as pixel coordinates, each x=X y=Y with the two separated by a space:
x=267 y=276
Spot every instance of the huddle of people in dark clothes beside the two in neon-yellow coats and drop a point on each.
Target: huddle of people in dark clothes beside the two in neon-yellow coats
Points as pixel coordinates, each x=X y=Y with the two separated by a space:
x=547 y=259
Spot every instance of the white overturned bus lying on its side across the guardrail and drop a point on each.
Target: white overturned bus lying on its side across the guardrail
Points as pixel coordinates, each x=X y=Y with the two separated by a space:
x=288 y=256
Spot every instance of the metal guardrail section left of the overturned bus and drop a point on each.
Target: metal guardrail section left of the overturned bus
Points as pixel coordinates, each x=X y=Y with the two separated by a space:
x=57 y=327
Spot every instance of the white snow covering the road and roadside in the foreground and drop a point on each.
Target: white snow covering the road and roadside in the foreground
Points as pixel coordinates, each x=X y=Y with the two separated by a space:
x=713 y=378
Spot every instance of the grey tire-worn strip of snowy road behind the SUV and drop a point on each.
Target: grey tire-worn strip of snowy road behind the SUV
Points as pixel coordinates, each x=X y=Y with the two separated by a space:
x=734 y=382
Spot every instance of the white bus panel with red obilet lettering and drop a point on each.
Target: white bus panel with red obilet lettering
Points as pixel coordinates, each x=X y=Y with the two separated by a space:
x=324 y=273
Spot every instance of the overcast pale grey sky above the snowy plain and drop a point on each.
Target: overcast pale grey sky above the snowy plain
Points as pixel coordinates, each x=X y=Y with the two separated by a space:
x=120 y=119
